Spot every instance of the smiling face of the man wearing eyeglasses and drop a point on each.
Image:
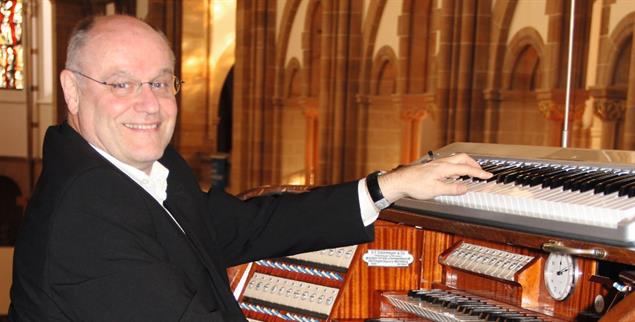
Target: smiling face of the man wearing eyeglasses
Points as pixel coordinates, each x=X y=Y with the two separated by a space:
x=134 y=129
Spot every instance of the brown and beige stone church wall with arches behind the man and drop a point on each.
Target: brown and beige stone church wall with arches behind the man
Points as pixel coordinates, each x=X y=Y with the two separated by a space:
x=453 y=66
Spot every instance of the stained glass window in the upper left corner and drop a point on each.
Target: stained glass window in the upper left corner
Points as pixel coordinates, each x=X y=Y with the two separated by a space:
x=11 y=61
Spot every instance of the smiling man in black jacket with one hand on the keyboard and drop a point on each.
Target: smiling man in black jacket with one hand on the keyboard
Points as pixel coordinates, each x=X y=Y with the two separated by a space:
x=117 y=228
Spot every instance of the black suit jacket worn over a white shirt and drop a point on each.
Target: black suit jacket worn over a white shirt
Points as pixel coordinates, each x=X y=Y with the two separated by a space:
x=95 y=246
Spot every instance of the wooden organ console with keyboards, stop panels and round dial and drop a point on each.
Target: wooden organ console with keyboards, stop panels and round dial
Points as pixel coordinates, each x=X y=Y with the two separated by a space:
x=549 y=238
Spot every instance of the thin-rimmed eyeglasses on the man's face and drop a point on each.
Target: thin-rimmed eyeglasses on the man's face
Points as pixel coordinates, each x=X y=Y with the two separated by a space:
x=164 y=86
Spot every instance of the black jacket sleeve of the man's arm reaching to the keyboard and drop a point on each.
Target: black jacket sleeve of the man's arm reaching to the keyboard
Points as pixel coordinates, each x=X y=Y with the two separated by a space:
x=286 y=224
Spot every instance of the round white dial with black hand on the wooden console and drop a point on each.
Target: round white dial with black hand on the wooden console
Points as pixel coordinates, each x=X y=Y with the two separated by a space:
x=559 y=275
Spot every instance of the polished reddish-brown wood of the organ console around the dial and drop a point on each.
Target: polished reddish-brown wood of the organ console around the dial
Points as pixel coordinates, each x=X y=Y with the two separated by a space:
x=427 y=237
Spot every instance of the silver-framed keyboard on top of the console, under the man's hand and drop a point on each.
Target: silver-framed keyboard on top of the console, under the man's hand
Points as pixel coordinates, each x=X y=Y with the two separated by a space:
x=577 y=193
